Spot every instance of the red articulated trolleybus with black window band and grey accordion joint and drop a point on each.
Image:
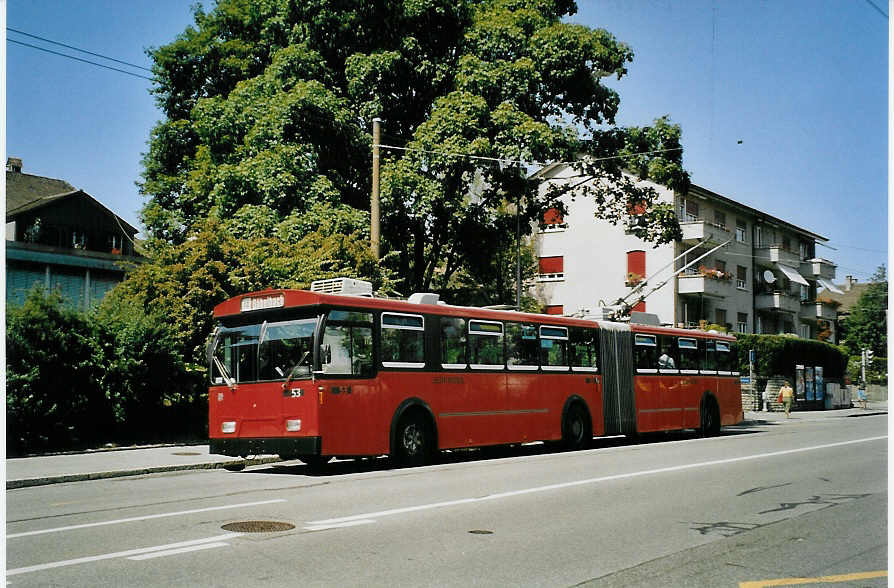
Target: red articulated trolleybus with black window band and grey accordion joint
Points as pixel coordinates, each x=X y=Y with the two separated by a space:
x=313 y=375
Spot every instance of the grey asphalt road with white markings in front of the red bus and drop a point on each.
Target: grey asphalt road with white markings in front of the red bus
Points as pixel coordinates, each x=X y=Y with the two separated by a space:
x=800 y=499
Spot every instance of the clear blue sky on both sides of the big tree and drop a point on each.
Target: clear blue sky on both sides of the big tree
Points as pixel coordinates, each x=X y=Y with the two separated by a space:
x=802 y=83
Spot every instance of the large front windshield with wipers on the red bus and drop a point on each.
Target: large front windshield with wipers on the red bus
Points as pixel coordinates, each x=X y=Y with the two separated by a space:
x=264 y=352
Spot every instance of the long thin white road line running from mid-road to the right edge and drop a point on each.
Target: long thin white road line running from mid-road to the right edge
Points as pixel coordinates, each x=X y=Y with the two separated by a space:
x=329 y=523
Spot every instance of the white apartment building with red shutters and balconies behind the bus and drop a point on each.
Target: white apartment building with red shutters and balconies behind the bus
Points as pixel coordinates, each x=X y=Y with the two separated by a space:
x=736 y=266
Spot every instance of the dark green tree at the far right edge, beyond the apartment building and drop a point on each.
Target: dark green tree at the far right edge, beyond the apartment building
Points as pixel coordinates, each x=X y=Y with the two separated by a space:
x=867 y=325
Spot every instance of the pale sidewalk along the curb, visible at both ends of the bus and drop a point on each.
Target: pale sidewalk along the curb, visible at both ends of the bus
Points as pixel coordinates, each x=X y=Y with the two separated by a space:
x=94 y=465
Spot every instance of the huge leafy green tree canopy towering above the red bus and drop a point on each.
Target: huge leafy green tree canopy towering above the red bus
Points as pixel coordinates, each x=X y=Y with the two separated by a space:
x=269 y=105
